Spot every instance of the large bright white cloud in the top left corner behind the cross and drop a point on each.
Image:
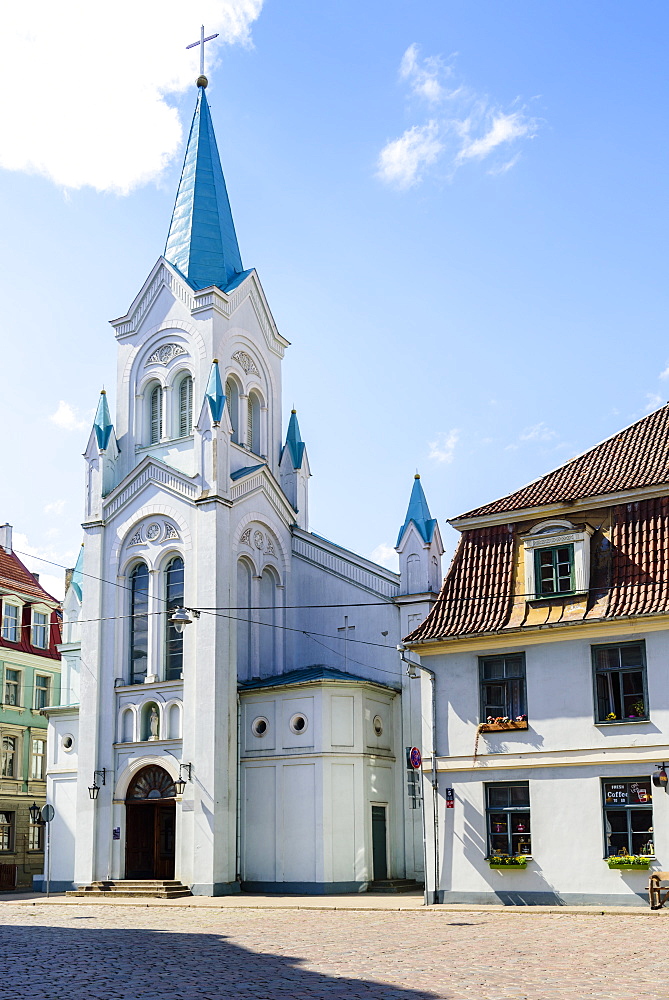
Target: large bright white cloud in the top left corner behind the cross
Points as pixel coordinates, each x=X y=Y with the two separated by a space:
x=85 y=91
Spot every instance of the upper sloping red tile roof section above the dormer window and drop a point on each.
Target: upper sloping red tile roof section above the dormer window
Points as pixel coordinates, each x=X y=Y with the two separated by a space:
x=635 y=457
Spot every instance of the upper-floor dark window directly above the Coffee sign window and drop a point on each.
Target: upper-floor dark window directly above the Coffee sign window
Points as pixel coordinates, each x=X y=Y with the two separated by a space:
x=620 y=683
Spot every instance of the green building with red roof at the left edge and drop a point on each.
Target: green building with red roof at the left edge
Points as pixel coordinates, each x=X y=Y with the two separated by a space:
x=30 y=675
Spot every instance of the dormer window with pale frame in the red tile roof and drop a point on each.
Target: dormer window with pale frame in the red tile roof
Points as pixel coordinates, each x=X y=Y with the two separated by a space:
x=557 y=560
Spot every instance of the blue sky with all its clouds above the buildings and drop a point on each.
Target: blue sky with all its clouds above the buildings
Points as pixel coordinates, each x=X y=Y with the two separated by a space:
x=458 y=212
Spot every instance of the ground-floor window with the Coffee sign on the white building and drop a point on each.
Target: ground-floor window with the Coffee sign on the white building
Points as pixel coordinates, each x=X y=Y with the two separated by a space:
x=628 y=817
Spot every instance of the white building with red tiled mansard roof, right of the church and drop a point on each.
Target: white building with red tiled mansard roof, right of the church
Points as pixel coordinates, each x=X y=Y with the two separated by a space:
x=549 y=645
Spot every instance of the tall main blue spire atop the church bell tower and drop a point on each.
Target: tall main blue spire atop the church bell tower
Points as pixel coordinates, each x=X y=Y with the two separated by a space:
x=202 y=243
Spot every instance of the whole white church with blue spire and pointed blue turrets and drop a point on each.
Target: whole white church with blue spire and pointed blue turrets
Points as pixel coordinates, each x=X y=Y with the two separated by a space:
x=235 y=711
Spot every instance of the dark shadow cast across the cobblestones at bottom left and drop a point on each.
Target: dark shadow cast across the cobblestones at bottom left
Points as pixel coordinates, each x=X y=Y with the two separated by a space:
x=39 y=962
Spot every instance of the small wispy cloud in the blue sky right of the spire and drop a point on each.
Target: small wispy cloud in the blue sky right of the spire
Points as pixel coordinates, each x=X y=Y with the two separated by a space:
x=466 y=127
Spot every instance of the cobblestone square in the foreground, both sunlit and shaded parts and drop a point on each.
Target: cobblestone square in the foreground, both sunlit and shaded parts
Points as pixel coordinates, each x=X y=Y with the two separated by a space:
x=98 y=952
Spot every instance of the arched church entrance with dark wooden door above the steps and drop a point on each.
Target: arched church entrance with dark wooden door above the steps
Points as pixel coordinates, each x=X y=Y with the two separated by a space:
x=150 y=810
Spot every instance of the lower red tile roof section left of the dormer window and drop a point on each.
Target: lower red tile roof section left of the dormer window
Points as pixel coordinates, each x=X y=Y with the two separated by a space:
x=476 y=595
